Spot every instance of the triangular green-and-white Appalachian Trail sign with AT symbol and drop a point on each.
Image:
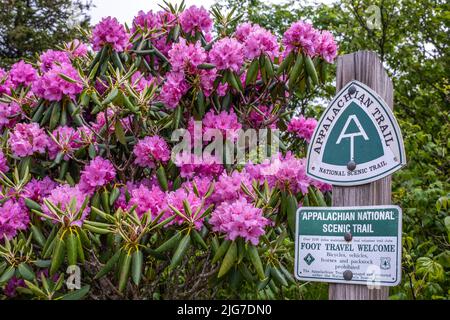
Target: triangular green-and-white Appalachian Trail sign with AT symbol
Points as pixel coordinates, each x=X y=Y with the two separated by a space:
x=357 y=139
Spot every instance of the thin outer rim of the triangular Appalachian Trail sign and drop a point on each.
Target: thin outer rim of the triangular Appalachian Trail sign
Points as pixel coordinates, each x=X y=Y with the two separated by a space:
x=395 y=126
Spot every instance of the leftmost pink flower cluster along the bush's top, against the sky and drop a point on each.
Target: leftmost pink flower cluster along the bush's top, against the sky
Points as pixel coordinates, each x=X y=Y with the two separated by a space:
x=110 y=32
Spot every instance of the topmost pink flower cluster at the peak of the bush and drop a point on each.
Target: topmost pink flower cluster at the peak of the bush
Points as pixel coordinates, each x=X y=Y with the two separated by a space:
x=195 y=19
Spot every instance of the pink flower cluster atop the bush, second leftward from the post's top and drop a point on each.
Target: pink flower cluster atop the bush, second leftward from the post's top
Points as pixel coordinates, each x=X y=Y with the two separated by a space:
x=302 y=37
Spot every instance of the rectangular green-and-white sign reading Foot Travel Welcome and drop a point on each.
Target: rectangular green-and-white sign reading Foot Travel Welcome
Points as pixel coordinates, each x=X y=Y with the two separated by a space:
x=357 y=245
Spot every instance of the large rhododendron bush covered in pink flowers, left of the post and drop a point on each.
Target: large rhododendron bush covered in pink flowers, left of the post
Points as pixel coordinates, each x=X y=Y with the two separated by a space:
x=91 y=180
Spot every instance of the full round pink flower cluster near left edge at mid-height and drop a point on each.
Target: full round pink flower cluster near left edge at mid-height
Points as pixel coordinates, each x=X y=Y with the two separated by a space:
x=28 y=138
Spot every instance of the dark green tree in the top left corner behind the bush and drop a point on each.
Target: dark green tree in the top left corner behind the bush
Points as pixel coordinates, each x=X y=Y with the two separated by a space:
x=30 y=26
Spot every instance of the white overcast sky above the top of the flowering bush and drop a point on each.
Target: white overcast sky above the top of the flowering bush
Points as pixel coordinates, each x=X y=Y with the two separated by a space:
x=125 y=10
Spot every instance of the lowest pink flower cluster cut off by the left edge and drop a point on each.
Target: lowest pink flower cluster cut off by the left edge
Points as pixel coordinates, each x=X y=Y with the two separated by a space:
x=13 y=218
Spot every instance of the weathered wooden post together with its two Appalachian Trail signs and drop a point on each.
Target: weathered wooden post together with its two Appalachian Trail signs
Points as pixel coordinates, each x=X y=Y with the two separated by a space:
x=356 y=147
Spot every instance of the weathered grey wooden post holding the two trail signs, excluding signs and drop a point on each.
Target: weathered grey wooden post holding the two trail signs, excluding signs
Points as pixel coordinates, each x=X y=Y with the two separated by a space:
x=366 y=67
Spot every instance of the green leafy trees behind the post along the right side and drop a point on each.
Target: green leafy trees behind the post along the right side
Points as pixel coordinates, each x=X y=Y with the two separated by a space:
x=411 y=38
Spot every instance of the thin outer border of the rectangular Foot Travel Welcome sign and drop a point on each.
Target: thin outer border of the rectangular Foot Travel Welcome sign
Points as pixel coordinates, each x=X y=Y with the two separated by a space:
x=398 y=271
